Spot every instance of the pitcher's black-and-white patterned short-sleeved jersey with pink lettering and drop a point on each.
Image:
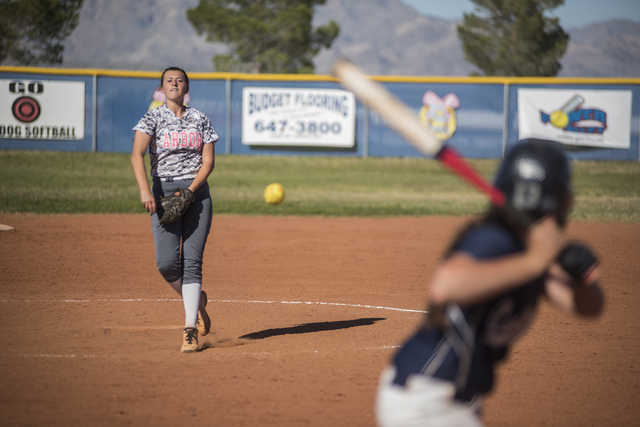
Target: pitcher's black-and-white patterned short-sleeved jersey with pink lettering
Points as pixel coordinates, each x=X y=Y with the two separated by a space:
x=176 y=145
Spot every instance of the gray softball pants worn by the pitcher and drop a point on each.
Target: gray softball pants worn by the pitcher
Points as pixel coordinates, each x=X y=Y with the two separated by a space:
x=192 y=230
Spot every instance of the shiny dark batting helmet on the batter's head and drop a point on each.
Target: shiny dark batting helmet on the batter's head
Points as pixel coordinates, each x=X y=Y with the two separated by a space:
x=535 y=177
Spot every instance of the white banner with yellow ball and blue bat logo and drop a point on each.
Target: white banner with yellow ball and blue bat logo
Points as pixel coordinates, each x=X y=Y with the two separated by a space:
x=592 y=118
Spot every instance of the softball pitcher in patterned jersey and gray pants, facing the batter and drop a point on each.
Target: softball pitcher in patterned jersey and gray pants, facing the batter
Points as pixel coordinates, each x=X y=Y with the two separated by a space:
x=180 y=141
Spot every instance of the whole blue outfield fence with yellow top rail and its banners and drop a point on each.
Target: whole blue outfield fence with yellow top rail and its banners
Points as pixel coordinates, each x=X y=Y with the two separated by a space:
x=255 y=114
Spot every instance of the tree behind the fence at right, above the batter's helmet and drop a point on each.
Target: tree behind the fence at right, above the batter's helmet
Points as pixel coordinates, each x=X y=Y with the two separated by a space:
x=513 y=38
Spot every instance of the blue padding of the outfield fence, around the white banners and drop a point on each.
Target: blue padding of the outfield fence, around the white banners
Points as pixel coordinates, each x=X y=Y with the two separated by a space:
x=480 y=120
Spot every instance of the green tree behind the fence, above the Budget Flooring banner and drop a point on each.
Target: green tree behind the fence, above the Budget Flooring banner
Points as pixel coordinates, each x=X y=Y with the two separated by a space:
x=264 y=36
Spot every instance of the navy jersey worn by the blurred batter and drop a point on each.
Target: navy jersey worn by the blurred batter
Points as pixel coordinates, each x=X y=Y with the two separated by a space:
x=474 y=338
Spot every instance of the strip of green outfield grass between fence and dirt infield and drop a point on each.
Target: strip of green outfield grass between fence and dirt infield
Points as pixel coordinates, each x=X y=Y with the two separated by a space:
x=68 y=182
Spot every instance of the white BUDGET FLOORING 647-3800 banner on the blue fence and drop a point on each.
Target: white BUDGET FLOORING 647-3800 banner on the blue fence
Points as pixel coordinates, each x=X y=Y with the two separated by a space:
x=302 y=117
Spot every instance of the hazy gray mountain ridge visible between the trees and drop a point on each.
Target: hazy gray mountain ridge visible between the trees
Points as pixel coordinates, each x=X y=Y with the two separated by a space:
x=383 y=37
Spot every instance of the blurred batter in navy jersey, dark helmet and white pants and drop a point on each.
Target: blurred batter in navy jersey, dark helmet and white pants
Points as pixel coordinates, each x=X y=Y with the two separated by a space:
x=484 y=295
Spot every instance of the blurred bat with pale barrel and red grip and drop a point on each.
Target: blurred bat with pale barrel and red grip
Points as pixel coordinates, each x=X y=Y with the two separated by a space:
x=405 y=121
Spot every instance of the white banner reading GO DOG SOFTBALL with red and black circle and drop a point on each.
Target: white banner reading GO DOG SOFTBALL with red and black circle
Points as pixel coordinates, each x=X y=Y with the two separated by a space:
x=41 y=109
